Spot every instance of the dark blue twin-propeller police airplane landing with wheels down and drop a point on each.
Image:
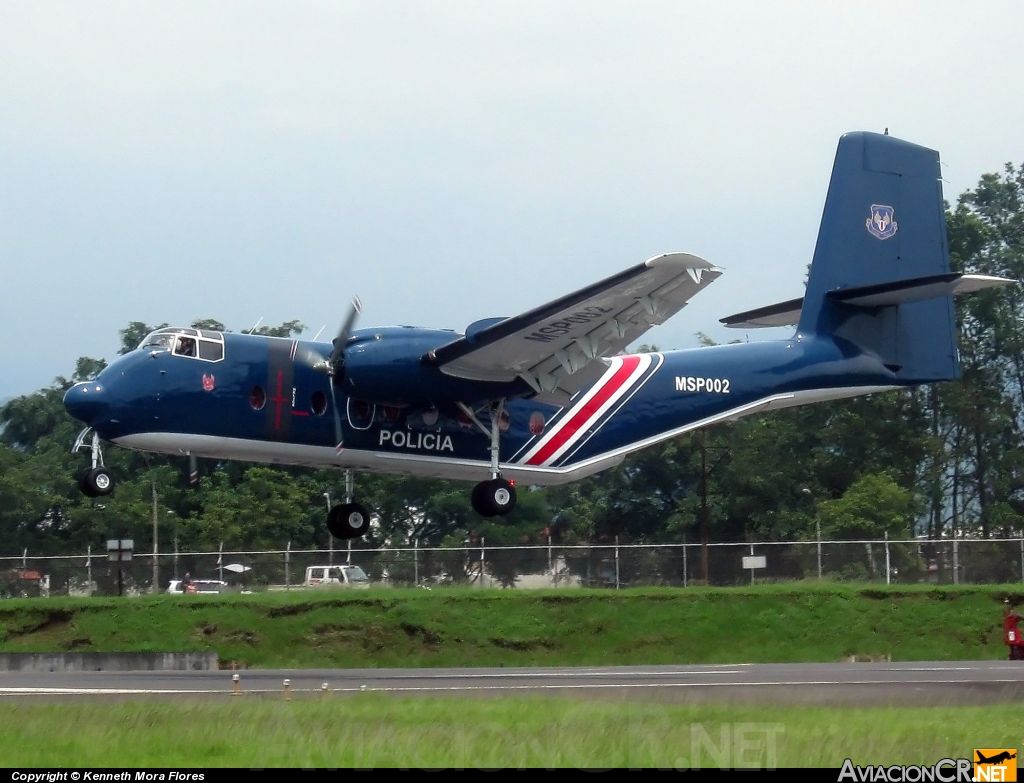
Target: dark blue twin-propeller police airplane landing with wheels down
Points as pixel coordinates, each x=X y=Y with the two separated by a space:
x=550 y=397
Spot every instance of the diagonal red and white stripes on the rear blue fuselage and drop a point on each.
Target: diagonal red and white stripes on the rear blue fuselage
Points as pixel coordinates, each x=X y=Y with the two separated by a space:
x=620 y=378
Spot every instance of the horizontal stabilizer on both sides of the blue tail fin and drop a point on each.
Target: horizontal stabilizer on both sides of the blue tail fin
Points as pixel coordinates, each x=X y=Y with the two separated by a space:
x=887 y=294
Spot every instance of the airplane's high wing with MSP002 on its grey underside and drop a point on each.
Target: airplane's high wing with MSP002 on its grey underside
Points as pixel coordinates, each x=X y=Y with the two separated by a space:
x=557 y=349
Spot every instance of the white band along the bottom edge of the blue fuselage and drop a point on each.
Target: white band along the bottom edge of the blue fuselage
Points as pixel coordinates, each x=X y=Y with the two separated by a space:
x=449 y=467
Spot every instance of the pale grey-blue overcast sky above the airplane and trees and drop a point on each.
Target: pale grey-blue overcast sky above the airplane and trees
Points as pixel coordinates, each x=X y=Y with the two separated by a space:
x=450 y=161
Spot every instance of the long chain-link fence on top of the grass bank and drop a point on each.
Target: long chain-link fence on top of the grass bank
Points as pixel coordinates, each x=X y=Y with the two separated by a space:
x=606 y=565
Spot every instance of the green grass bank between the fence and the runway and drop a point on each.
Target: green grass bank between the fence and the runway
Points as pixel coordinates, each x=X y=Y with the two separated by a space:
x=465 y=628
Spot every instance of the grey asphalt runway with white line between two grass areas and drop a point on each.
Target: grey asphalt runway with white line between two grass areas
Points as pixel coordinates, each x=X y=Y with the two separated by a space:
x=904 y=683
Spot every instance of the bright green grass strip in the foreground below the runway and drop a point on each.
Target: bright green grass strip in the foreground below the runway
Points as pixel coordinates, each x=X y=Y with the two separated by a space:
x=375 y=731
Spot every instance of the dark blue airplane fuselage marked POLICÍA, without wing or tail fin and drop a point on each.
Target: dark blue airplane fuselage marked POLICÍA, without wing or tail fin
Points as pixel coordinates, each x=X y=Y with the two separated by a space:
x=266 y=402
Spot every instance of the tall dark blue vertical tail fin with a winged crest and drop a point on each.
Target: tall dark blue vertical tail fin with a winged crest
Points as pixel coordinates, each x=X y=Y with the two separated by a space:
x=880 y=279
